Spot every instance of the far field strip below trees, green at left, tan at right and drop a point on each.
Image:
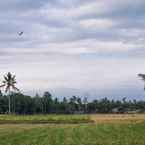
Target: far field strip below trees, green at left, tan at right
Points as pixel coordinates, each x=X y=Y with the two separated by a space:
x=71 y=119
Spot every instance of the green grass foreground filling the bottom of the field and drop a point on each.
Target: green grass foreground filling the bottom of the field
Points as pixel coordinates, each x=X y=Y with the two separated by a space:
x=93 y=134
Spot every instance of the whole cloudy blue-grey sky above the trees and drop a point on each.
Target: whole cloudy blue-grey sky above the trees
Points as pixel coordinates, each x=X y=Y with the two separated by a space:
x=93 y=48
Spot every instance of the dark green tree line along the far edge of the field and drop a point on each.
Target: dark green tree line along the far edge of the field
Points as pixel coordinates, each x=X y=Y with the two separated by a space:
x=46 y=104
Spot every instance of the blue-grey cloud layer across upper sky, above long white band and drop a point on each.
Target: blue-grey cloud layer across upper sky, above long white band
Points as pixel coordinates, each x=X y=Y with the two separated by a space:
x=41 y=28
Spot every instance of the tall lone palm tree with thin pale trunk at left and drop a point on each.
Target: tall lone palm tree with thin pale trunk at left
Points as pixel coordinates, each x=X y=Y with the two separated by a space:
x=9 y=84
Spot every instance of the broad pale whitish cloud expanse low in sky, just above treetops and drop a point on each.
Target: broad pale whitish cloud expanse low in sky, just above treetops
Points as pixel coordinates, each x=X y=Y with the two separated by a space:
x=99 y=74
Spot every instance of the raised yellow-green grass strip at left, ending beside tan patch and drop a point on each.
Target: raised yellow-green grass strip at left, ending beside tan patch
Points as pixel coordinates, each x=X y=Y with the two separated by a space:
x=35 y=119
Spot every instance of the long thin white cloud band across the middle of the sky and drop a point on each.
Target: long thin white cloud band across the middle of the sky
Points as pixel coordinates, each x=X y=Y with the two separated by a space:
x=80 y=47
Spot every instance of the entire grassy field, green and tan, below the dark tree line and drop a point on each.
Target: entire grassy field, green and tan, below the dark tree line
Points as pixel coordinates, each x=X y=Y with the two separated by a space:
x=103 y=130
